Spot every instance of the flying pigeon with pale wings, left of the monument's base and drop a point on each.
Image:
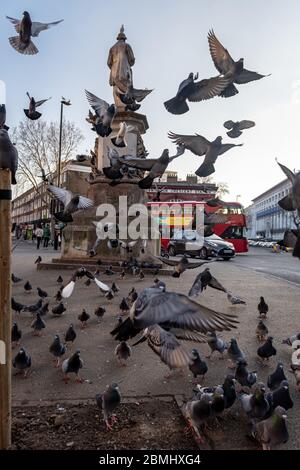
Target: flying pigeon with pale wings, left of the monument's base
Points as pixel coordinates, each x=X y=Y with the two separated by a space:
x=72 y=203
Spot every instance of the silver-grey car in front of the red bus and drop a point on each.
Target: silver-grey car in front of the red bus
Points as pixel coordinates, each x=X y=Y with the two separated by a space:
x=191 y=243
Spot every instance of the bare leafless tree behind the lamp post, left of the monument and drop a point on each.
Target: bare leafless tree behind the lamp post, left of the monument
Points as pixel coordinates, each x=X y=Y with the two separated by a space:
x=38 y=147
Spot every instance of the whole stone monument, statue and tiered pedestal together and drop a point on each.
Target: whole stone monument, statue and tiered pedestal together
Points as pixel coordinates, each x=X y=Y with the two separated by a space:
x=79 y=238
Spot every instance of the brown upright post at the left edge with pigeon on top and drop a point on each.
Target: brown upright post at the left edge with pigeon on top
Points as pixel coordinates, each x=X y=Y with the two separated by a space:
x=5 y=309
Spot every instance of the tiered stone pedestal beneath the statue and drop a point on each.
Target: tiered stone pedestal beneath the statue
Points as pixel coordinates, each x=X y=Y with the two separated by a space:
x=79 y=238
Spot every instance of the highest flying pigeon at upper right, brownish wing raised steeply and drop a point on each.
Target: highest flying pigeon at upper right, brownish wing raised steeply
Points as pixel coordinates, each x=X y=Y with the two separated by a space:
x=225 y=65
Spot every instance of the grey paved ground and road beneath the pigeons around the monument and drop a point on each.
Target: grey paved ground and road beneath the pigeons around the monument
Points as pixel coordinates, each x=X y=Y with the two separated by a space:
x=145 y=373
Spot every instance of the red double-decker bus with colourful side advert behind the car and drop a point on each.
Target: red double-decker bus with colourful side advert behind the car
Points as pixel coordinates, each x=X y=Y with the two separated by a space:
x=232 y=229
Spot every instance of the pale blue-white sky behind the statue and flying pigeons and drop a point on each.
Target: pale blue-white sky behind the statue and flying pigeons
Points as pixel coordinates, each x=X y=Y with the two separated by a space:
x=169 y=40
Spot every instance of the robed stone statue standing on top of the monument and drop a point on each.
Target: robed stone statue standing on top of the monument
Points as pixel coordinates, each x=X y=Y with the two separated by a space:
x=120 y=60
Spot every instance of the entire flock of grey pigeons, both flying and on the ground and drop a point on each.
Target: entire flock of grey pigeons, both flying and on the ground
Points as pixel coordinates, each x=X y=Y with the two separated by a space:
x=165 y=317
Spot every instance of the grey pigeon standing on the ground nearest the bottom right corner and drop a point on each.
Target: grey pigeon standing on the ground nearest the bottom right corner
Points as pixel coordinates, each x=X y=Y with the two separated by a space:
x=272 y=431
